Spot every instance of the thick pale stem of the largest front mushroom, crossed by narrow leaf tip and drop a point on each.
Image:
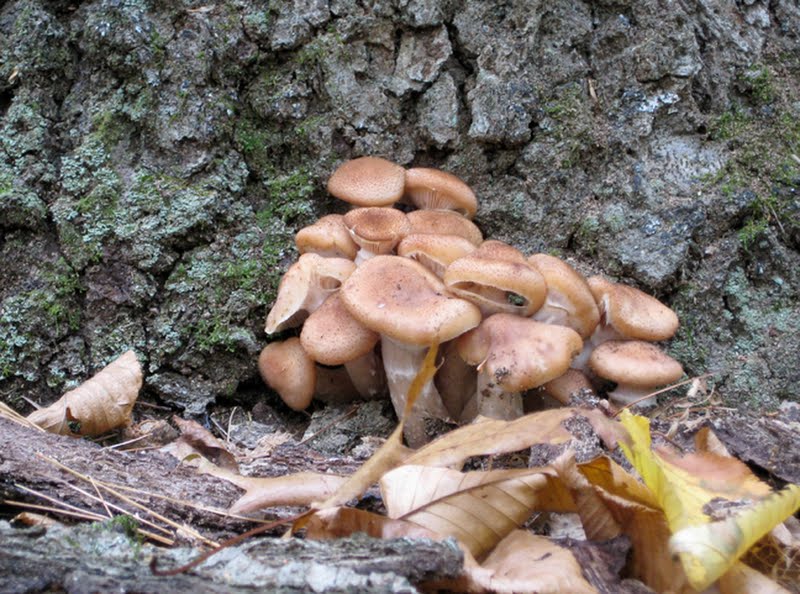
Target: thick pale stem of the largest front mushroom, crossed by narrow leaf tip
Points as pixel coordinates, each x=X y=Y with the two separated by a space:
x=402 y=362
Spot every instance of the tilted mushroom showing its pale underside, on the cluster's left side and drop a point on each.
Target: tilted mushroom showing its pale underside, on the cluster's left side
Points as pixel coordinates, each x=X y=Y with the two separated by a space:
x=304 y=287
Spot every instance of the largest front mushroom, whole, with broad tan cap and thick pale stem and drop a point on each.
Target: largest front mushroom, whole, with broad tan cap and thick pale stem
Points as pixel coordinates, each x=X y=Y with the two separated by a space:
x=410 y=308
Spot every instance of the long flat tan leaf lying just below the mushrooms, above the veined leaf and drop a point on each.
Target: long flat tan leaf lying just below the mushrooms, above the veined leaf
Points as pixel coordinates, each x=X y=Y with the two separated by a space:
x=492 y=436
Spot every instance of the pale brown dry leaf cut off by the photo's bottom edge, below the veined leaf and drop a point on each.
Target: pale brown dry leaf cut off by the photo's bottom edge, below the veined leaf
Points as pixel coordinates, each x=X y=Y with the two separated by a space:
x=524 y=562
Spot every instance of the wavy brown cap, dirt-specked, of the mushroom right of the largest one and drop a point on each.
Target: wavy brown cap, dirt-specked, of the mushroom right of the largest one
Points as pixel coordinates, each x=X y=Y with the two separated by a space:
x=519 y=353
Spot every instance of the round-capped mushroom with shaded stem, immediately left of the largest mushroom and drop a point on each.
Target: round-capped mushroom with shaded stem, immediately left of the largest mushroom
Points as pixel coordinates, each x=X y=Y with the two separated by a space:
x=332 y=336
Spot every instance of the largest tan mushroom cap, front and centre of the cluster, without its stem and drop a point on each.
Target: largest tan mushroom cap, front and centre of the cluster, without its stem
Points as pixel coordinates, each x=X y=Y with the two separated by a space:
x=403 y=300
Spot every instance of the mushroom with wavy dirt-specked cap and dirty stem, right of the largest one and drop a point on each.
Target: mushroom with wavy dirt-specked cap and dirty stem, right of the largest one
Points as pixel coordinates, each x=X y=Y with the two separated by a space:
x=514 y=354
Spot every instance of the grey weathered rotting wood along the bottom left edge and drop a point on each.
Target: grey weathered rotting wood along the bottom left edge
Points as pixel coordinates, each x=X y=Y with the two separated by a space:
x=92 y=559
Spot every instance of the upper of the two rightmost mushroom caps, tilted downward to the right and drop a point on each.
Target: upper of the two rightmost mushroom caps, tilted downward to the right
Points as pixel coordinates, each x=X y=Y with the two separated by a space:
x=631 y=312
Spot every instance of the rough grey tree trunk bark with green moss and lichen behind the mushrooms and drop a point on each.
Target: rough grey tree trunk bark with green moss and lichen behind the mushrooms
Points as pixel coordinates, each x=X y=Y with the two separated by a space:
x=157 y=157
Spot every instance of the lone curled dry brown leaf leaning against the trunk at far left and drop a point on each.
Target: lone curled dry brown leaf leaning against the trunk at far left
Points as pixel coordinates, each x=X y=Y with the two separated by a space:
x=101 y=403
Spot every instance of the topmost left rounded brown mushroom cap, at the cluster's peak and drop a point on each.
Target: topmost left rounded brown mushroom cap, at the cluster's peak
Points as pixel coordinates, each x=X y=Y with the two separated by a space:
x=368 y=181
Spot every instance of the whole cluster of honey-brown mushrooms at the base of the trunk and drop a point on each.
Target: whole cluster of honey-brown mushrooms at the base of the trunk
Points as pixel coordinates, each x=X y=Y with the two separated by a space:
x=374 y=288
